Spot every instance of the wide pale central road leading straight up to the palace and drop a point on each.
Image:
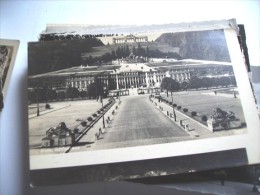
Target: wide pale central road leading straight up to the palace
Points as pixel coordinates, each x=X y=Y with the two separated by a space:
x=138 y=122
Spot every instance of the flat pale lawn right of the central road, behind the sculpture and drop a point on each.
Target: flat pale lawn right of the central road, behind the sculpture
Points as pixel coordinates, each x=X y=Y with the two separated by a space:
x=201 y=106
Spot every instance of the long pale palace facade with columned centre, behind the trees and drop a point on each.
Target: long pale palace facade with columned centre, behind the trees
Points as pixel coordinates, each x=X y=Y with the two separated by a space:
x=115 y=77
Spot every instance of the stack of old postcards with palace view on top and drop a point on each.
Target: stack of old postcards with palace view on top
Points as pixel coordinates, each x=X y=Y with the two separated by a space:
x=123 y=102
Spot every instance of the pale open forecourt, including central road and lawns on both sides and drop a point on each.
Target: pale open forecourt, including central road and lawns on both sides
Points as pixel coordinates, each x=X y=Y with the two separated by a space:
x=138 y=121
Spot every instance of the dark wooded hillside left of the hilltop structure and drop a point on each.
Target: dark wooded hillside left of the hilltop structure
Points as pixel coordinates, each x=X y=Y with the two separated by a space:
x=49 y=56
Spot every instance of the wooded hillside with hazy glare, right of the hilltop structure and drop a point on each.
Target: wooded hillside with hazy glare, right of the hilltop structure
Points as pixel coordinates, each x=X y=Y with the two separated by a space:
x=201 y=45
